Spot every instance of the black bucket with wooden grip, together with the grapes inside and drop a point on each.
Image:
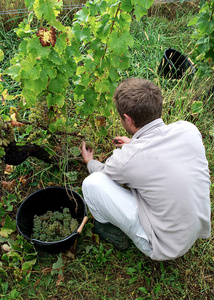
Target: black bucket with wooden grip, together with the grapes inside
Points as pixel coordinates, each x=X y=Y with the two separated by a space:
x=52 y=218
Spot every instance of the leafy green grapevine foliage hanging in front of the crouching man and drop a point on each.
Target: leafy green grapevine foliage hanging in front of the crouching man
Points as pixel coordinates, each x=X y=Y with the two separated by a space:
x=87 y=58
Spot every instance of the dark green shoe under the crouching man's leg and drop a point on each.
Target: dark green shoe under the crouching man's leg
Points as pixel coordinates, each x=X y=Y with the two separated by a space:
x=112 y=234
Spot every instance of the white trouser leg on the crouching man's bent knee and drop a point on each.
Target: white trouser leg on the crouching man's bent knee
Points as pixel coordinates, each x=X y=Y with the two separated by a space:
x=110 y=202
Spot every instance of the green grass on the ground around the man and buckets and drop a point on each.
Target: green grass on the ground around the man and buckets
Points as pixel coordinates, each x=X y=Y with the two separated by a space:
x=94 y=269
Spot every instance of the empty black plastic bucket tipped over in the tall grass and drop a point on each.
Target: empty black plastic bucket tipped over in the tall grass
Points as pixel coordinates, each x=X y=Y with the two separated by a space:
x=175 y=65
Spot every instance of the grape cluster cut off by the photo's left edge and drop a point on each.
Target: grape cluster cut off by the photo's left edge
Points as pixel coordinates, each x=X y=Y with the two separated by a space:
x=7 y=133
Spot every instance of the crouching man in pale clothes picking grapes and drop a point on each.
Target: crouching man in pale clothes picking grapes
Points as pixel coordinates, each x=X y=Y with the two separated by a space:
x=166 y=207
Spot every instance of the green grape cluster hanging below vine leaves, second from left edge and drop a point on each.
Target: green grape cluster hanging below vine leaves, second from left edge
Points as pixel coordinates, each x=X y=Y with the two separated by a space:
x=39 y=114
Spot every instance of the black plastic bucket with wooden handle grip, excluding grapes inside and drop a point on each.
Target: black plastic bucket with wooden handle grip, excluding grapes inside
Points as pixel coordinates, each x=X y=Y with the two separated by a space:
x=54 y=199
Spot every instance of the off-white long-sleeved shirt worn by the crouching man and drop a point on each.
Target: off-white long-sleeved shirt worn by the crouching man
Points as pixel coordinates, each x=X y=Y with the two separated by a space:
x=167 y=171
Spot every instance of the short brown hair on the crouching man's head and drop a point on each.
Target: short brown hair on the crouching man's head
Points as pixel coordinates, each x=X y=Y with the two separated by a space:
x=140 y=99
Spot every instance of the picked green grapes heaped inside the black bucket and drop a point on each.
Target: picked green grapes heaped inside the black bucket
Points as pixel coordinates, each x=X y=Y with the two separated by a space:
x=53 y=226
